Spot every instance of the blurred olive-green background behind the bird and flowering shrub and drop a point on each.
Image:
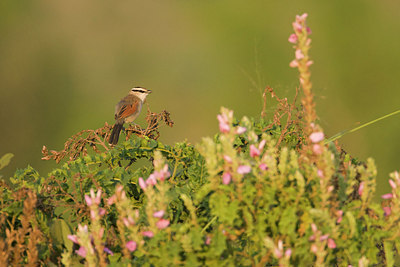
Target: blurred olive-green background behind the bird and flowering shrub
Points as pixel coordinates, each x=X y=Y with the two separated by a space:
x=65 y=64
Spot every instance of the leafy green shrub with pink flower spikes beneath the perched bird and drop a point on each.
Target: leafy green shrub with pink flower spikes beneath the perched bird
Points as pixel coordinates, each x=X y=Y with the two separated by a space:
x=260 y=193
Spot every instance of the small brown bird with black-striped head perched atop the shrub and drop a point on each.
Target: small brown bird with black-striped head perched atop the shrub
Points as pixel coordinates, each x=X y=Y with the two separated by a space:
x=127 y=110
